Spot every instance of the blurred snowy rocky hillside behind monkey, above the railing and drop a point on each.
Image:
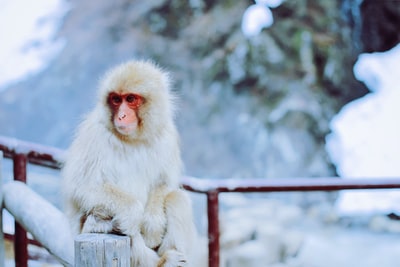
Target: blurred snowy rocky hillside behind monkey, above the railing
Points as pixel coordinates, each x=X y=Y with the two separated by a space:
x=267 y=89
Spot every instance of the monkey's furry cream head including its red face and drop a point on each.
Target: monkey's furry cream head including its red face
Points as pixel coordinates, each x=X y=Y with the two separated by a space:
x=137 y=101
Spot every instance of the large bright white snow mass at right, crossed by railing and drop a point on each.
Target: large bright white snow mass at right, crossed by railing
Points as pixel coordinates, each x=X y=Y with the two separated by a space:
x=365 y=139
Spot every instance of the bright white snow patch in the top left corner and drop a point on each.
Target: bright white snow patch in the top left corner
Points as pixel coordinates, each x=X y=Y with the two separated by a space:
x=31 y=38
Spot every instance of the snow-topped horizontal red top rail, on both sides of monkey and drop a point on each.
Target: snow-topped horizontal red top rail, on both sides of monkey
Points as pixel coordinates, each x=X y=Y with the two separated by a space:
x=53 y=157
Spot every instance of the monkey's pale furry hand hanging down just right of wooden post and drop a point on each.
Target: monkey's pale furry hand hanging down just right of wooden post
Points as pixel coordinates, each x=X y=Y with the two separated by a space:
x=153 y=226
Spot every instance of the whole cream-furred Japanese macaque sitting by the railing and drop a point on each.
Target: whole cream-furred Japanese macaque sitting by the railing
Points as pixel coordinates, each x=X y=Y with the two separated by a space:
x=123 y=168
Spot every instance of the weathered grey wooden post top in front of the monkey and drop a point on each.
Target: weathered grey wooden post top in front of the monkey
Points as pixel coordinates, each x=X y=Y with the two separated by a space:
x=102 y=250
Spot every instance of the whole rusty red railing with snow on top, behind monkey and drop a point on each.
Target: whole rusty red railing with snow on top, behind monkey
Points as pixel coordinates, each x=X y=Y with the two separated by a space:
x=23 y=153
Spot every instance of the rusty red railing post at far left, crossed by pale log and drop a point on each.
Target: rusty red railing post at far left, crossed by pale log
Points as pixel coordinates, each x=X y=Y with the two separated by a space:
x=21 y=239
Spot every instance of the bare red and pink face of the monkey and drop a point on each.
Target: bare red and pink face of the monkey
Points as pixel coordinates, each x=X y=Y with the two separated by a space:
x=125 y=110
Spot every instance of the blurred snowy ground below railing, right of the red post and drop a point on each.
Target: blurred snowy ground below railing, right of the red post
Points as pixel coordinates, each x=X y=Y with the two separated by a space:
x=259 y=232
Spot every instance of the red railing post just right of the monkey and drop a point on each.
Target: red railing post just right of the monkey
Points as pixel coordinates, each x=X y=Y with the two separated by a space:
x=213 y=228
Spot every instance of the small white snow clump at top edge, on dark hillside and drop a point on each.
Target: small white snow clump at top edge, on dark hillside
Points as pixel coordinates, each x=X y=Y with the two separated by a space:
x=258 y=16
